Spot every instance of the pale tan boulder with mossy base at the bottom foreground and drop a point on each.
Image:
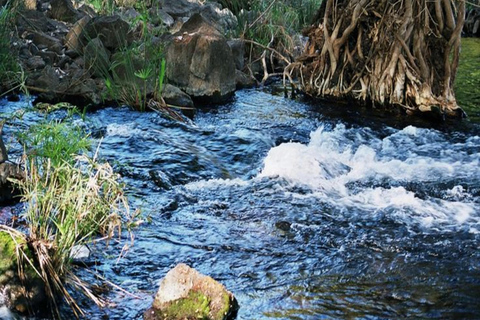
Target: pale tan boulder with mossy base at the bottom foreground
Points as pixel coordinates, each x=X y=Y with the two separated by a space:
x=186 y=294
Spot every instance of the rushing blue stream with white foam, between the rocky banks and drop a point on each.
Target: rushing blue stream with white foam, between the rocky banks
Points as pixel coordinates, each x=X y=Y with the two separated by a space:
x=300 y=212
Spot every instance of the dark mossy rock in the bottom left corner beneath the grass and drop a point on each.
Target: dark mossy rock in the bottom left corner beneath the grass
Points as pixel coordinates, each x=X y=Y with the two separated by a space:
x=27 y=296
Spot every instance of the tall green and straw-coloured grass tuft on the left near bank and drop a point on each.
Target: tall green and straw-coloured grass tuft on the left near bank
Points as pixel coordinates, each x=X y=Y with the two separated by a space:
x=70 y=200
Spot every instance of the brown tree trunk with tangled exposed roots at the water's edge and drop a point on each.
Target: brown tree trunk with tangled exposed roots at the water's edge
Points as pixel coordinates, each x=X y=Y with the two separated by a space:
x=390 y=53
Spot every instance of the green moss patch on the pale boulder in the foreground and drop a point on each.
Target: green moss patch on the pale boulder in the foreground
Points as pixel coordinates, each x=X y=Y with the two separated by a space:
x=194 y=307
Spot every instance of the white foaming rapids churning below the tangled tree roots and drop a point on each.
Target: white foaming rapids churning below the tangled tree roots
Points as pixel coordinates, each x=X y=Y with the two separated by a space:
x=353 y=169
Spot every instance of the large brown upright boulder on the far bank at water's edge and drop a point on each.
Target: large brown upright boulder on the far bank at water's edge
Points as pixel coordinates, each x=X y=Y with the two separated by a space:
x=200 y=62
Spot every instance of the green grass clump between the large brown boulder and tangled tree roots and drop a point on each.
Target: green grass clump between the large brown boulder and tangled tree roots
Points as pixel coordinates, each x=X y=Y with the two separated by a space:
x=271 y=29
